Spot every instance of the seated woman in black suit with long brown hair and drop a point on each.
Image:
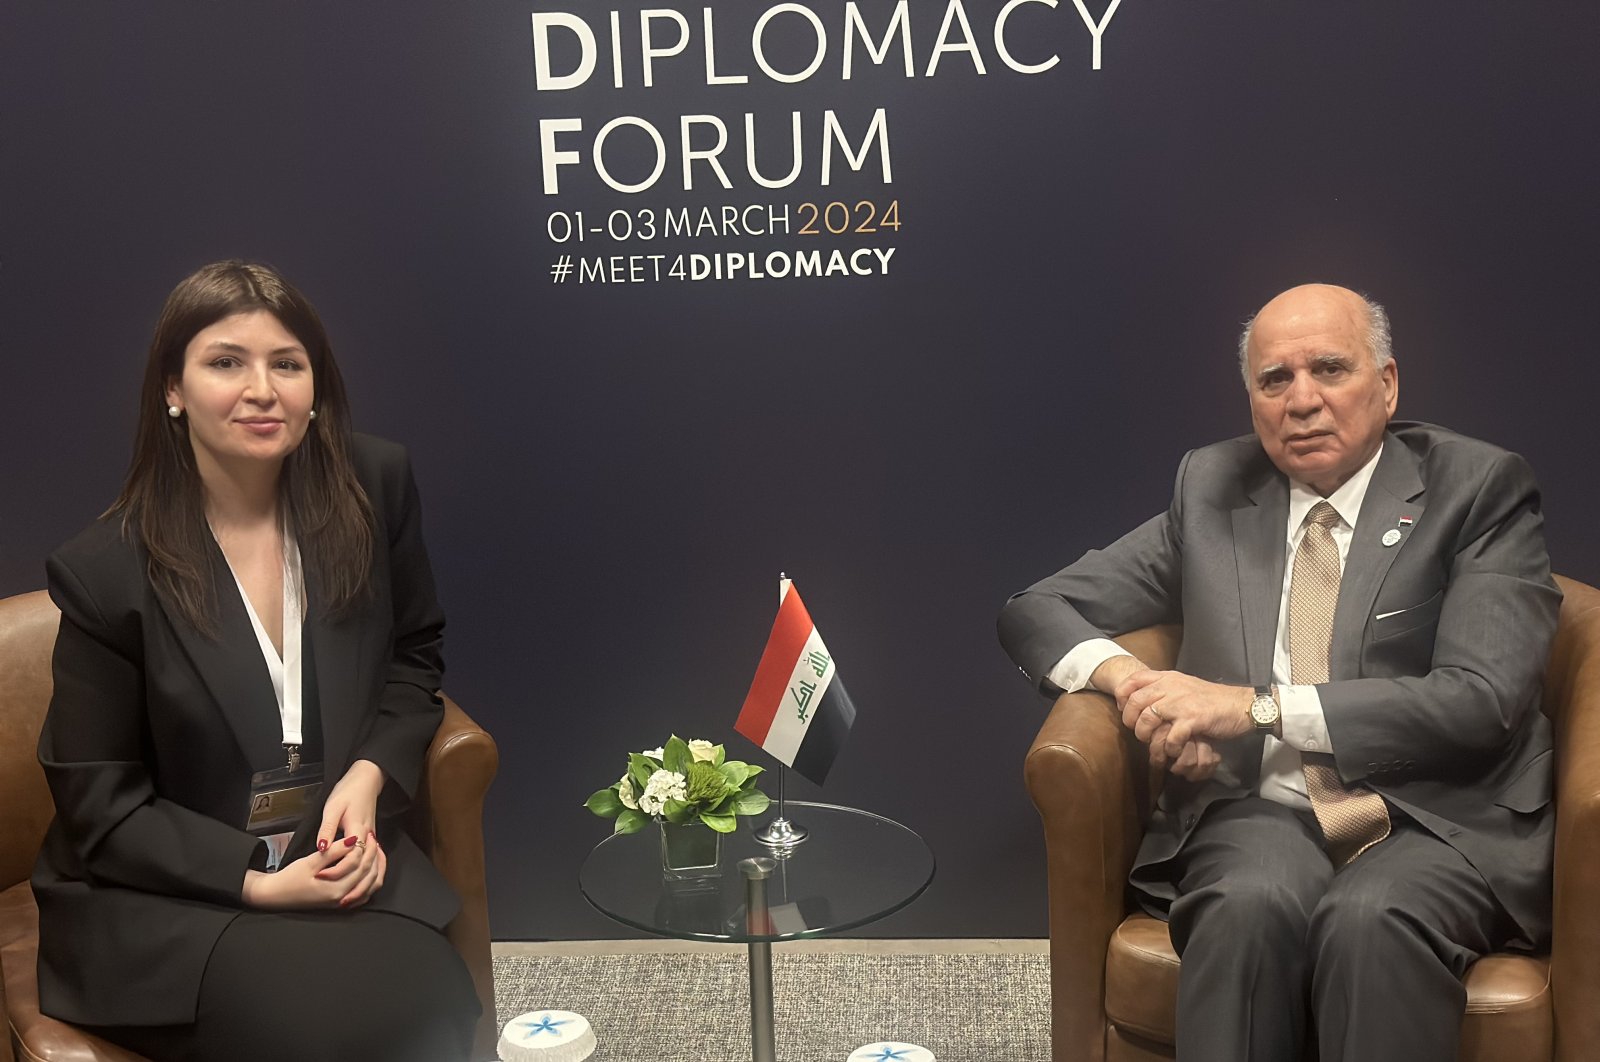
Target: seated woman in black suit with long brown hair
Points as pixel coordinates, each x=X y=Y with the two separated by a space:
x=247 y=684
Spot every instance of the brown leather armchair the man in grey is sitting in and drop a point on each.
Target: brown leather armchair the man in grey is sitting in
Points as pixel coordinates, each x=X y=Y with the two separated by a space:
x=1114 y=973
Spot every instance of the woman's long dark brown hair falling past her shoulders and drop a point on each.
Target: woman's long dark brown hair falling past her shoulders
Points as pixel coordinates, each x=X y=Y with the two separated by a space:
x=162 y=501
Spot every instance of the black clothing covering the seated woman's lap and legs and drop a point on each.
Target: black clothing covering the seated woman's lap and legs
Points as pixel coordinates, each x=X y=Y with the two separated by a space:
x=314 y=988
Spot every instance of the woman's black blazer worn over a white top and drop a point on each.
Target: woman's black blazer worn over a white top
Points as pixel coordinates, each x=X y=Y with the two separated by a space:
x=156 y=729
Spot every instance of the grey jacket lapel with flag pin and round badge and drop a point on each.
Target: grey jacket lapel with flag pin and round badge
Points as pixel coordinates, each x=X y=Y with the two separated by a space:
x=1396 y=492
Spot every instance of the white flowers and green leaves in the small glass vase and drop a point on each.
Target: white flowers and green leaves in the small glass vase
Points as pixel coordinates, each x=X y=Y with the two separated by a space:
x=681 y=783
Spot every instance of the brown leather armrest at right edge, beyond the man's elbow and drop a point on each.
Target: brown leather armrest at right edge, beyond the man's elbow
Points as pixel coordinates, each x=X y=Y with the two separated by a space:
x=1575 y=959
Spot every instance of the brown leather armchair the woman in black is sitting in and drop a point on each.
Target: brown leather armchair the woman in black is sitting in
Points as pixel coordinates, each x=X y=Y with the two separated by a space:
x=447 y=823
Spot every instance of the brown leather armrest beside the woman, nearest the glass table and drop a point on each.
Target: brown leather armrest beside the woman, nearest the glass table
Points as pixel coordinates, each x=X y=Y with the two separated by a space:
x=458 y=772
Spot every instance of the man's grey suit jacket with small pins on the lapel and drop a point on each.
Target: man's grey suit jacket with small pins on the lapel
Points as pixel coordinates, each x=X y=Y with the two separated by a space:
x=1439 y=642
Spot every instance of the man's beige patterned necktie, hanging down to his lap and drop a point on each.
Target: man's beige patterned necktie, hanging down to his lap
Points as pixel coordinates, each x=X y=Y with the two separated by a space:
x=1353 y=818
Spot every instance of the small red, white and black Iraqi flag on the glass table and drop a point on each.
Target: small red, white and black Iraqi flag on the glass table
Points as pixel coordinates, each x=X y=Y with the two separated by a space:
x=798 y=711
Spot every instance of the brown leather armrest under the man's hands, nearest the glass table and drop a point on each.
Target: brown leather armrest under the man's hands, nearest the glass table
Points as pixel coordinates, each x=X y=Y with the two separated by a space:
x=1081 y=777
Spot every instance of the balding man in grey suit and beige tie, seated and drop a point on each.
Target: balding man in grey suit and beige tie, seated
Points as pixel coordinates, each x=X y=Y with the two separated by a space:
x=1359 y=791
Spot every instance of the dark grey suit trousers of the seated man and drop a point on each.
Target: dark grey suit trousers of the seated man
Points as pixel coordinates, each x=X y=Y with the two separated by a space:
x=1268 y=928
